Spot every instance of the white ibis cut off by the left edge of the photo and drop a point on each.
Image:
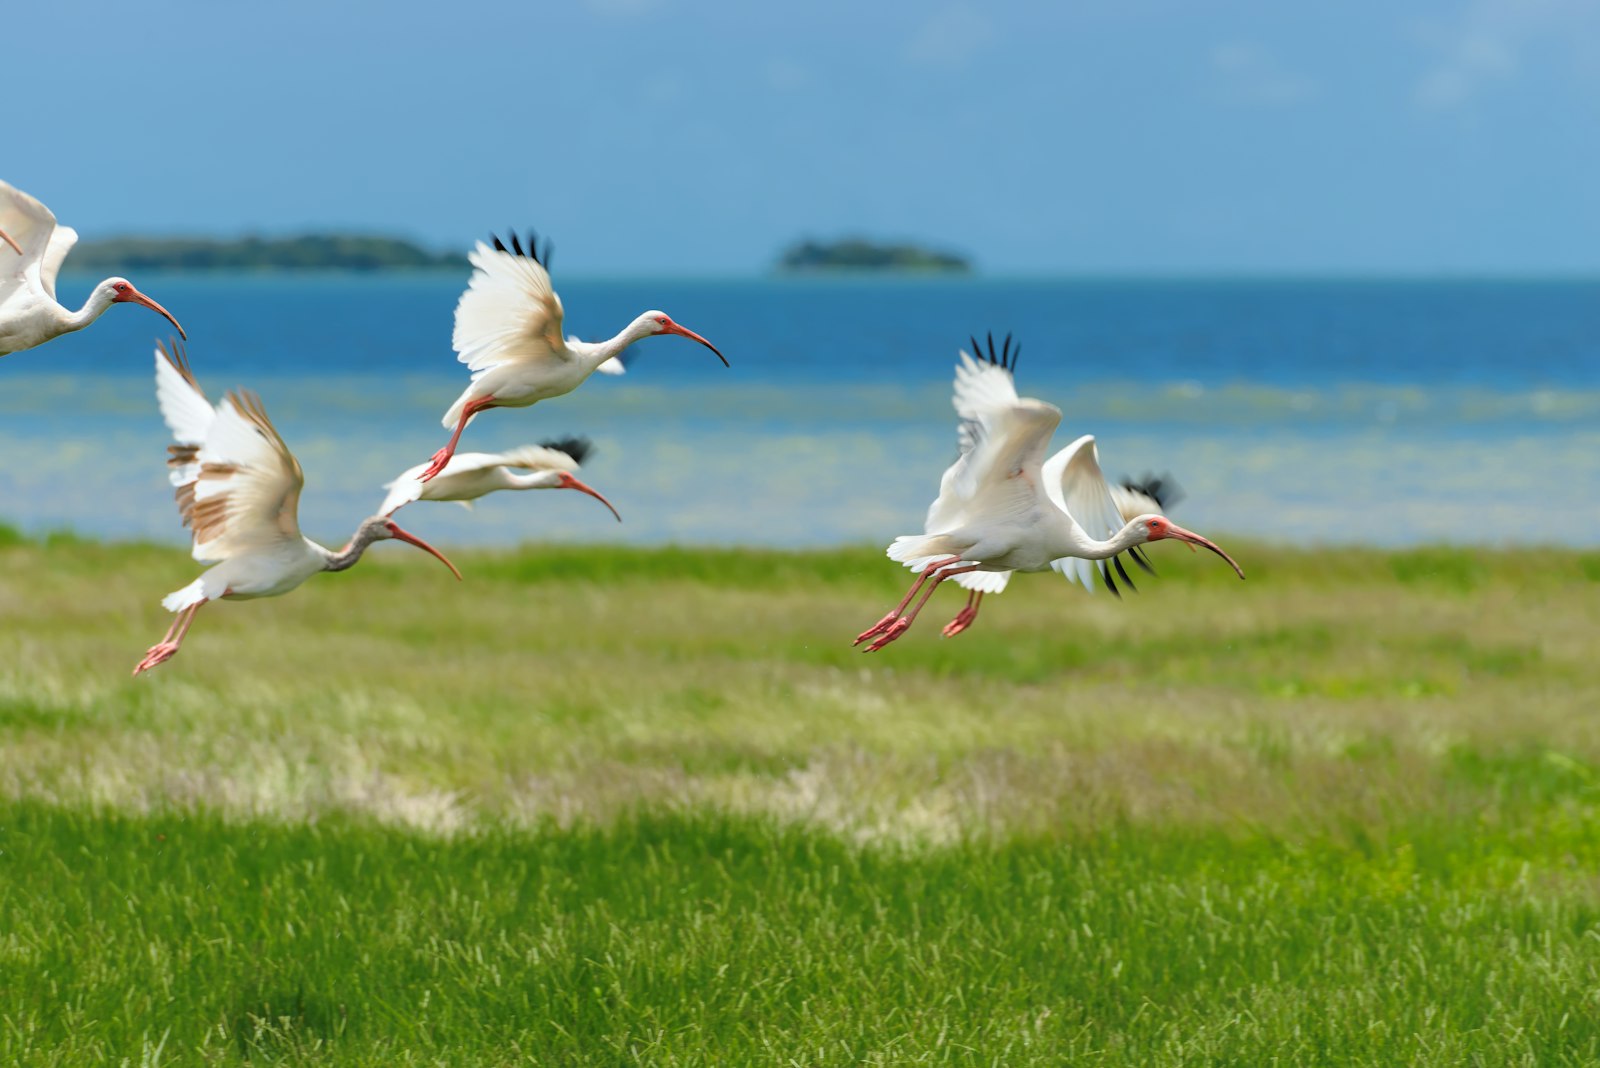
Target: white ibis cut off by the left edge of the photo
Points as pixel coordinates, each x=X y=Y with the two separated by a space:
x=30 y=313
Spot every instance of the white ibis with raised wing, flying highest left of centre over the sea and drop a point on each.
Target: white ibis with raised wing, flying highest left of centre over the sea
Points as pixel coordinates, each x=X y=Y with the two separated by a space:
x=510 y=335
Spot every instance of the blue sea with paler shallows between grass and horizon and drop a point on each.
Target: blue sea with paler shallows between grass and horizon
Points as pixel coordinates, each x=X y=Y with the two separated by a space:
x=1298 y=412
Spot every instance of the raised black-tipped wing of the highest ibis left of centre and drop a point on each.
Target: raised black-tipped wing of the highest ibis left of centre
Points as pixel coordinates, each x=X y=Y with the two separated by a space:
x=510 y=313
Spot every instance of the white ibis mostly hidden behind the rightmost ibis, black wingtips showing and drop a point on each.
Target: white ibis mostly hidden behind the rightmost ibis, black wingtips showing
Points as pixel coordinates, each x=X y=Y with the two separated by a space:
x=980 y=385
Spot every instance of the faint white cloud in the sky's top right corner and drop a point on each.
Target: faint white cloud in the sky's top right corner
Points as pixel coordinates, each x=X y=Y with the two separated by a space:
x=1487 y=42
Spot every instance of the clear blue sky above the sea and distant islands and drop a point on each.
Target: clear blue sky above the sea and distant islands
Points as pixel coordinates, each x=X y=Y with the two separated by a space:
x=671 y=137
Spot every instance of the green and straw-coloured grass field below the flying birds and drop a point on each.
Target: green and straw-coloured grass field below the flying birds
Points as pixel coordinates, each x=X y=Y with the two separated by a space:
x=649 y=807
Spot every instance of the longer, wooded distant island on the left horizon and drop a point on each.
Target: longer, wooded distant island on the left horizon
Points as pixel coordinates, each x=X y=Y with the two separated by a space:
x=310 y=252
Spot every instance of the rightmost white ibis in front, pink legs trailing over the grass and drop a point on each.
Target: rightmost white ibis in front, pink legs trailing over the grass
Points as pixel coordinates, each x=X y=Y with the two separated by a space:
x=1004 y=508
